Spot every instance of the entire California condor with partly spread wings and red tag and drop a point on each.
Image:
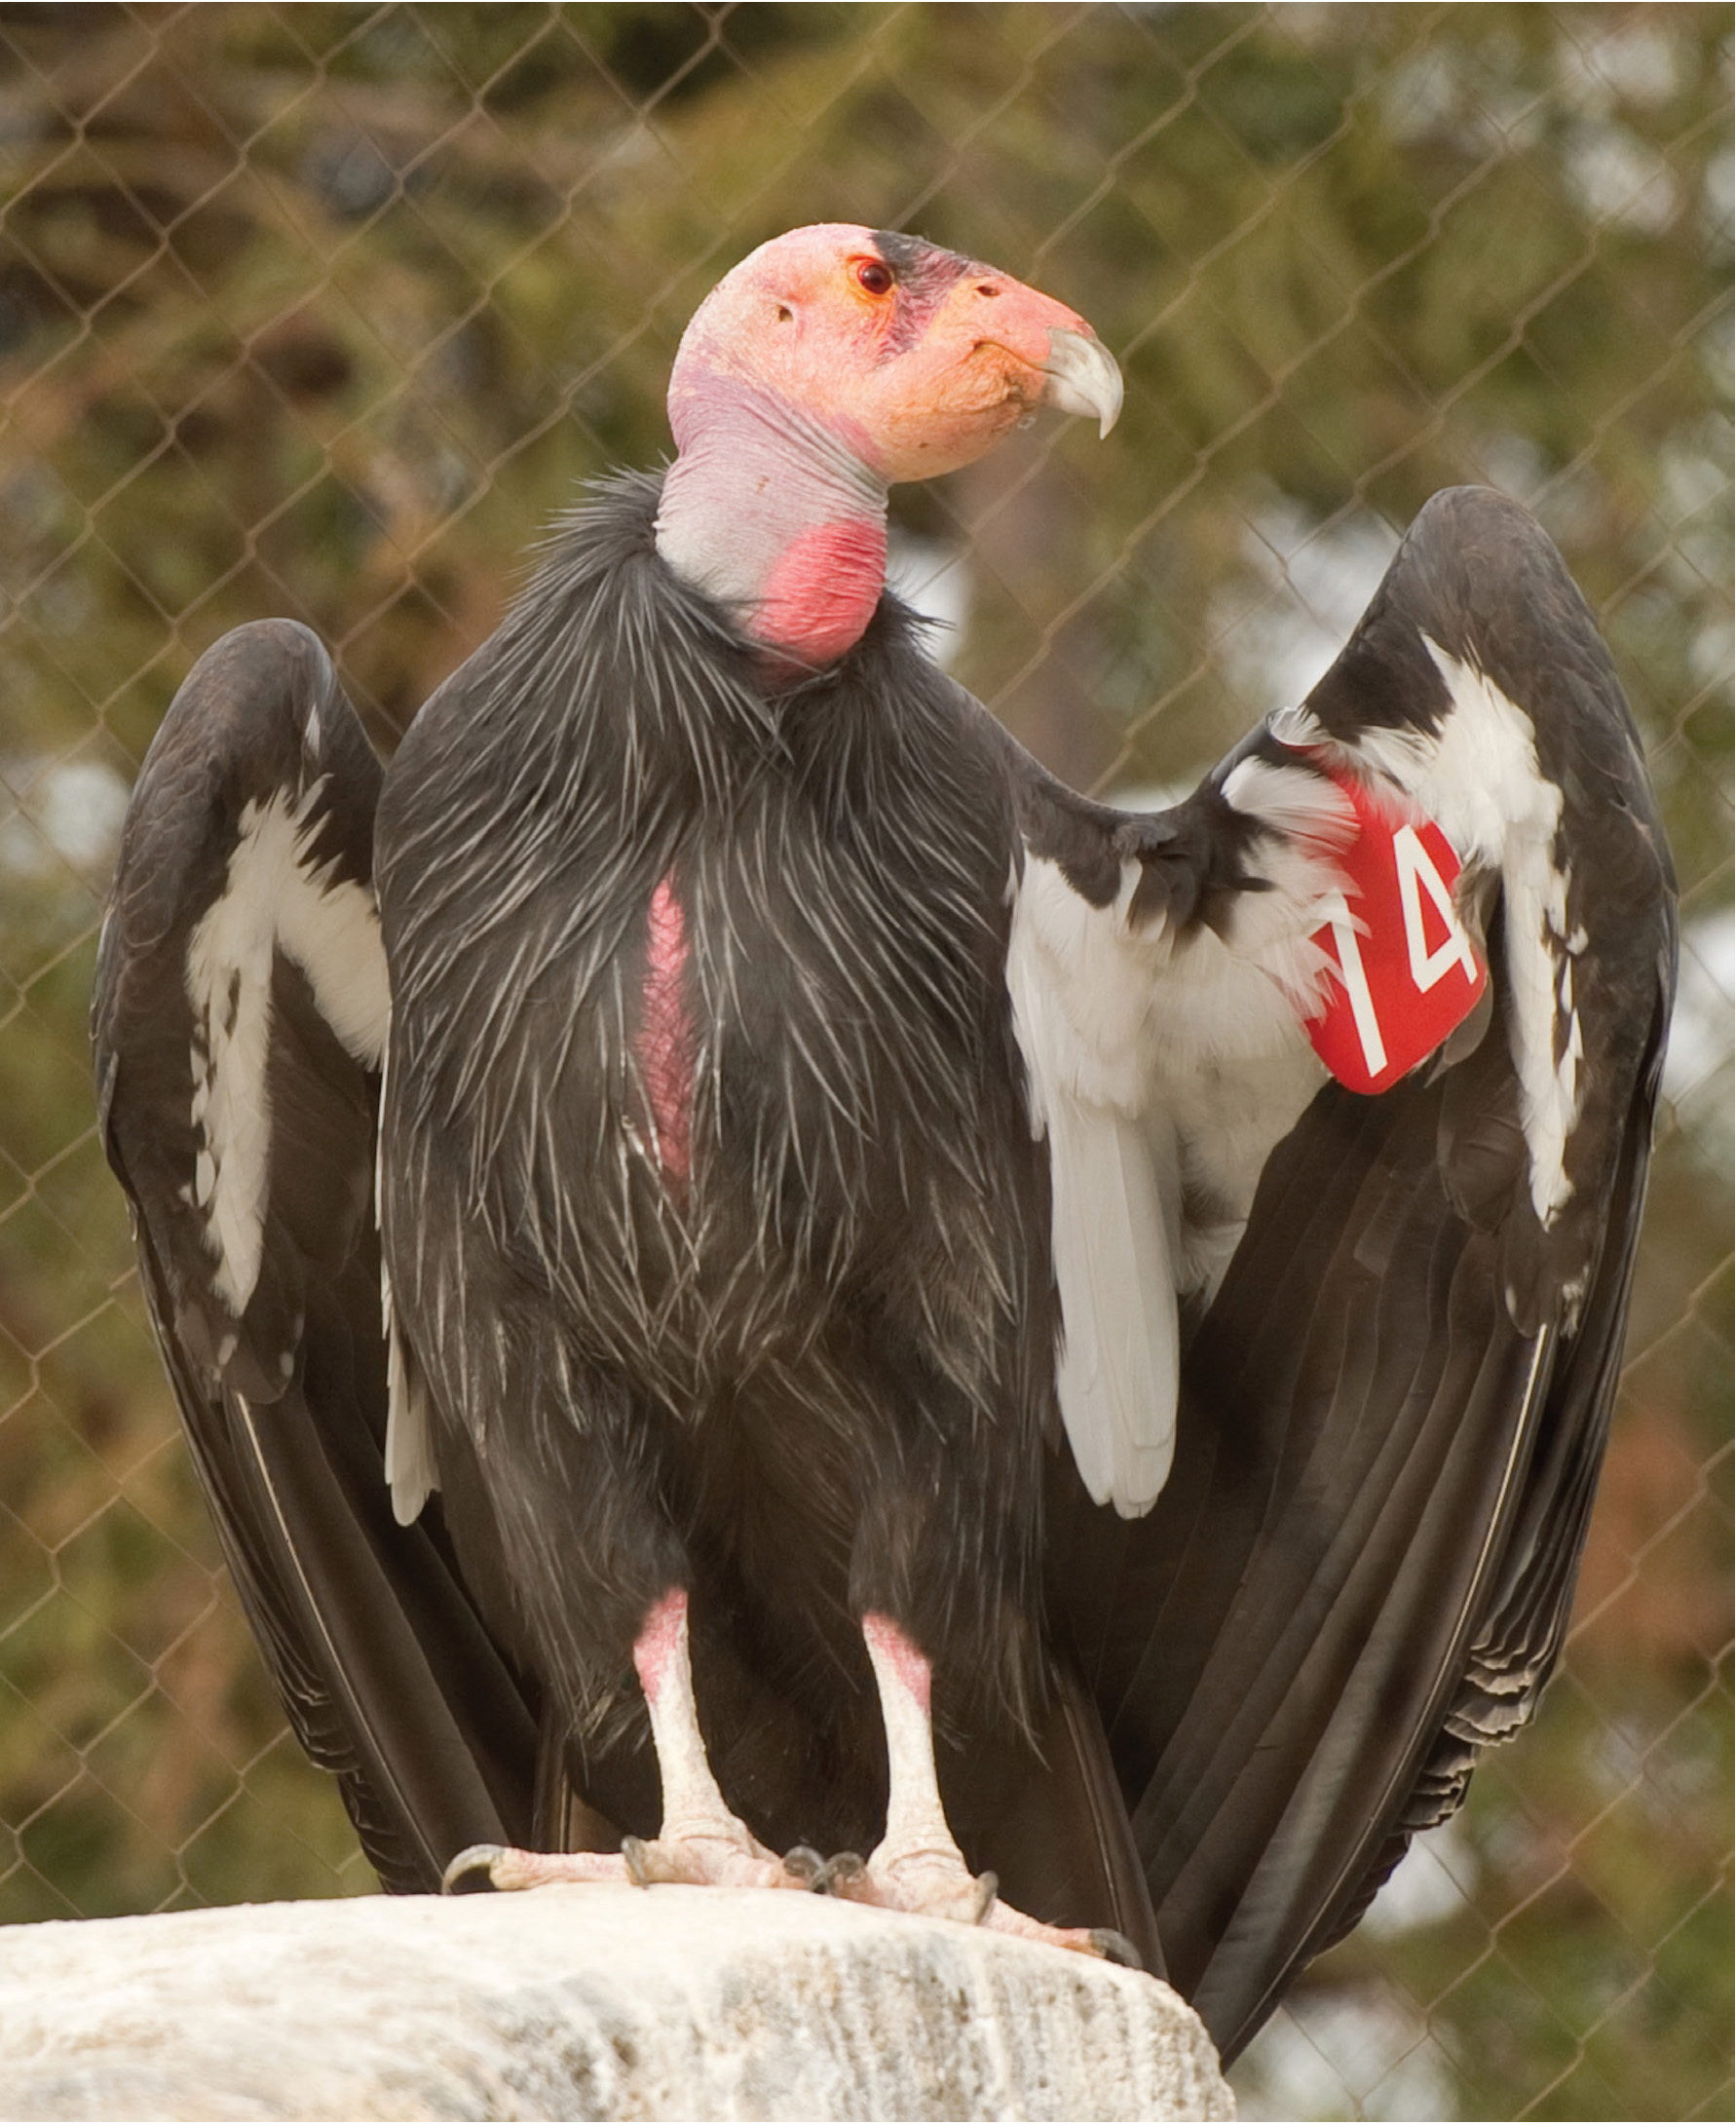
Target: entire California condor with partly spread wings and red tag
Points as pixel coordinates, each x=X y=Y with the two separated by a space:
x=715 y=1197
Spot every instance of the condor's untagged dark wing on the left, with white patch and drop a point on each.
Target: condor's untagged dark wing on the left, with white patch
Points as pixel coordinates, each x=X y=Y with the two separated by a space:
x=239 y=1027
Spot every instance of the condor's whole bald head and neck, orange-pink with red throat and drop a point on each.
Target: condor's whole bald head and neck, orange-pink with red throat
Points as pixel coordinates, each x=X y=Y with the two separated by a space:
x=832 y=364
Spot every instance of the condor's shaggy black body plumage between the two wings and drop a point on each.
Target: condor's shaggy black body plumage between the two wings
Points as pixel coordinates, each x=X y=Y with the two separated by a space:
x=819 y=1378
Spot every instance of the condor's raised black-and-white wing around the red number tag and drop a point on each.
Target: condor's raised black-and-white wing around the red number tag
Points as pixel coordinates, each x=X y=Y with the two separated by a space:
x=1389 y=1327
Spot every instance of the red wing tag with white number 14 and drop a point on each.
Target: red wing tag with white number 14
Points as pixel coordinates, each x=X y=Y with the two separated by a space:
x=1408 y=970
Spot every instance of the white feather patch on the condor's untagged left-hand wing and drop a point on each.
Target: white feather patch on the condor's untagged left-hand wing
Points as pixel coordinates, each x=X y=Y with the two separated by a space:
x=275 y=900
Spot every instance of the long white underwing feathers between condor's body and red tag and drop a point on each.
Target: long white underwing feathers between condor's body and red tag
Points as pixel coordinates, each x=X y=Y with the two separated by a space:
x=1161 y=1072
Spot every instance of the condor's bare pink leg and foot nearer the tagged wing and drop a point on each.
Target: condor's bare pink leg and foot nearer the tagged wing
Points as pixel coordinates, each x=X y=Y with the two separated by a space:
x=917 y=1865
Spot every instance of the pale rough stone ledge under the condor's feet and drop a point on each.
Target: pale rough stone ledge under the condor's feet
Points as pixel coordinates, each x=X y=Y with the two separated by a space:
x=583 y=2005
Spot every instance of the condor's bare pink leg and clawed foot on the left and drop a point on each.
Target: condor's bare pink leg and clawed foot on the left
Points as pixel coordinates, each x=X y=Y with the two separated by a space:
x=700 y=1841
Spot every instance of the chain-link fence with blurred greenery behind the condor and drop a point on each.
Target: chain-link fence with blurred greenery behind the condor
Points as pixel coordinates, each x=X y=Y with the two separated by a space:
x=328 y=309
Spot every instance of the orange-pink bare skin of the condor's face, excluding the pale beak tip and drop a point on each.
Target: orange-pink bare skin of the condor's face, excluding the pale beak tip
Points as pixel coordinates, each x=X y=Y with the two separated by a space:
x=815 y=318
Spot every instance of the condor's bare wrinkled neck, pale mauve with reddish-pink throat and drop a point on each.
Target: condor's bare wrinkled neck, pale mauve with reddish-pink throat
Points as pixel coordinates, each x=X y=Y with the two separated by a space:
x=777 y=517
